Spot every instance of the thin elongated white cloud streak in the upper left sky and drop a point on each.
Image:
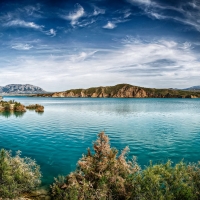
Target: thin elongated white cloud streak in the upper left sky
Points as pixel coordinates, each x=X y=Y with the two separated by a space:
x=23 y=23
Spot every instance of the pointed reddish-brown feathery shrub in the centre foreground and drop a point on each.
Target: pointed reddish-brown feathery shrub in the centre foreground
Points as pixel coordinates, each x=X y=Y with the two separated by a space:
x=101 y=175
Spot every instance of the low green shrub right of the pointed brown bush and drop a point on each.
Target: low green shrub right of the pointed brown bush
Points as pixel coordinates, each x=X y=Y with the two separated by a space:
x=164 y=181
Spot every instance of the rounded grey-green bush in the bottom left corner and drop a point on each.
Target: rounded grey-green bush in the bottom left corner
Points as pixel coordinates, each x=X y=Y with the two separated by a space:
x=17 y=175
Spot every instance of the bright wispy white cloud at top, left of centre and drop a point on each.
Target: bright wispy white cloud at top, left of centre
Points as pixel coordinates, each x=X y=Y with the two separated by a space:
x=76 y=14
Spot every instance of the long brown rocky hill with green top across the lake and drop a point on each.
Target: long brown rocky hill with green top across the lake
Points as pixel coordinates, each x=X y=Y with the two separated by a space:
x=124 y=91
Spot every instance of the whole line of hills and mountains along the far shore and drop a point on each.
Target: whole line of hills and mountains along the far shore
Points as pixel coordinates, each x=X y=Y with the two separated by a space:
x=120 y=90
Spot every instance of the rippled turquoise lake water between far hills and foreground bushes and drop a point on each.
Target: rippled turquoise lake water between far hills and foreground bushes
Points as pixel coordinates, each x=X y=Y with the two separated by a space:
x=154 y=129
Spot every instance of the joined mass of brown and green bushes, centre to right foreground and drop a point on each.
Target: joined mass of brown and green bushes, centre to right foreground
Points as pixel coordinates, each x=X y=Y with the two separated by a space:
x=106 y=176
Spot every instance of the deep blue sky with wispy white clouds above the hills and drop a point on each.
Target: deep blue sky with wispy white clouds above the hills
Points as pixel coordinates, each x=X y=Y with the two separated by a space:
x=60 y=45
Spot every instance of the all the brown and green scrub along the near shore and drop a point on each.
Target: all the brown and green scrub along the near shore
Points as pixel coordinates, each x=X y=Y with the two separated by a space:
x=104 y=174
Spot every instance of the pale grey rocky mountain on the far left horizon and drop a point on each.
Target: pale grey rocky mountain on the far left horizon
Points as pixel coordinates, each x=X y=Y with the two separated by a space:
x=20 y=89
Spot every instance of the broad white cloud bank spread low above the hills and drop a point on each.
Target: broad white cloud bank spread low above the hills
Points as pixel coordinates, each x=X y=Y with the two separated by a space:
x=152 y=64
